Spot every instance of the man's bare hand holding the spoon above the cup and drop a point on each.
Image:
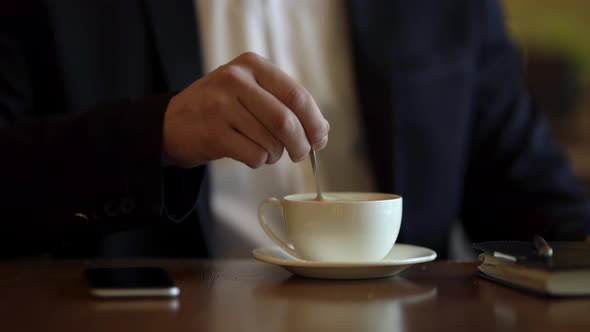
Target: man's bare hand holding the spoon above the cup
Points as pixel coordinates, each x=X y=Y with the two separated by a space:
x=248 y=110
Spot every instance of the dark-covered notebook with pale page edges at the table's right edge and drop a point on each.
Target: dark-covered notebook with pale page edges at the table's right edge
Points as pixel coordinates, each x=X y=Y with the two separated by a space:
x=562 y=270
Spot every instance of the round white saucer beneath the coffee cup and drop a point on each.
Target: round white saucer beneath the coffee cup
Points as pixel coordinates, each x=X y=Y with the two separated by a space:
x=399 y=258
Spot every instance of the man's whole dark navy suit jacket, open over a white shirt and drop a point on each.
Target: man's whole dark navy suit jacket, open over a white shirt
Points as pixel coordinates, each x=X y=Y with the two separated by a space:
x=84 y=86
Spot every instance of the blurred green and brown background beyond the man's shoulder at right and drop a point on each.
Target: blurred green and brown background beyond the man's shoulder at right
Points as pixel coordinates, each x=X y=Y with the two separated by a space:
x=554 y=38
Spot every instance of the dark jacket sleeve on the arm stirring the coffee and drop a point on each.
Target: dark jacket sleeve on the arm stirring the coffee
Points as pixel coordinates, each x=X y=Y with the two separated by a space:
x=95 y=170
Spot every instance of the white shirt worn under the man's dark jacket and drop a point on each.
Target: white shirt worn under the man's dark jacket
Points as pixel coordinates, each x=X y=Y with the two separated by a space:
x=308 y=39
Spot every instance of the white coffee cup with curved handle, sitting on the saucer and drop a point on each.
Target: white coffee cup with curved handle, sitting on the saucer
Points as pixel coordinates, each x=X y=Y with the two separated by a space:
x=344 y=227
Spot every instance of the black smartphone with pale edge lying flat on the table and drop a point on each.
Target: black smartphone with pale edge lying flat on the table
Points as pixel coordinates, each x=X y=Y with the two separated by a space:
x=130 y=282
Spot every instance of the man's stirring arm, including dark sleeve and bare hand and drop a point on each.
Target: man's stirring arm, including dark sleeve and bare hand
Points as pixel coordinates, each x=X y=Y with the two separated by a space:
x=109 y=158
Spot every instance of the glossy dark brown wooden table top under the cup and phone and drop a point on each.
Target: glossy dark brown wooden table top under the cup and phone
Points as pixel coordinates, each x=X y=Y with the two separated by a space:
x=246 y=295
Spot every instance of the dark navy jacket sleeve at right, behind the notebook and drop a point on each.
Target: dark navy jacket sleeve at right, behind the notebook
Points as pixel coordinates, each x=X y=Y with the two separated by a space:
x=518 y=183
